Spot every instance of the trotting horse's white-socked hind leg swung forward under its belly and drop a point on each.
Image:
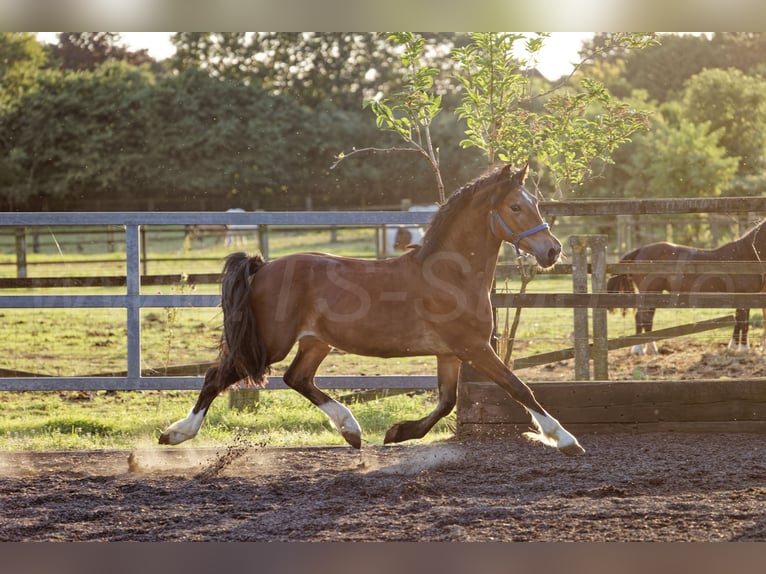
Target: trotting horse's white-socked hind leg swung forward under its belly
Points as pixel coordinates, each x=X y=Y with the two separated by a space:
x=300 y=376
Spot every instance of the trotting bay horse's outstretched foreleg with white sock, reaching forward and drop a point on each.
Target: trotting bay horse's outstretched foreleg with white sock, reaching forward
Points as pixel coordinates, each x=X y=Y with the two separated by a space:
x=549 y=430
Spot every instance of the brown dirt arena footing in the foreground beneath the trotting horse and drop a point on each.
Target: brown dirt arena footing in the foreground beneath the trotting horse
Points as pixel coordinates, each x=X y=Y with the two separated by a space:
x=659 y=487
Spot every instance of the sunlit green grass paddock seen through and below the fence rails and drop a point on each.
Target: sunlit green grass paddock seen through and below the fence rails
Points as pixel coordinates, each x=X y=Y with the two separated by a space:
x=68 y=342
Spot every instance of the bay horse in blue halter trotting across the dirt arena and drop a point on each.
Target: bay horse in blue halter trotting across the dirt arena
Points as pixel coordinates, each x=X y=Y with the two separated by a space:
x=432 y=300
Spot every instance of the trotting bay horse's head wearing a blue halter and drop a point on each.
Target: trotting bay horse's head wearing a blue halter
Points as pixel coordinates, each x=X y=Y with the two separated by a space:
x=515 y=218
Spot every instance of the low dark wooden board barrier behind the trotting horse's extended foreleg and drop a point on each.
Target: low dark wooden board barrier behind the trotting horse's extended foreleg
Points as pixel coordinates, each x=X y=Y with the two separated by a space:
x=623 y=406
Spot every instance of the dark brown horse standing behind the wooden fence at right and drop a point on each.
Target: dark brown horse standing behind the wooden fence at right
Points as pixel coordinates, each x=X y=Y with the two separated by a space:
x=751 y=247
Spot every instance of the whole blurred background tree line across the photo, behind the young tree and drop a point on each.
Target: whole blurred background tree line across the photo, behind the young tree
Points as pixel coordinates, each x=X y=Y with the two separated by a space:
x=257 y=120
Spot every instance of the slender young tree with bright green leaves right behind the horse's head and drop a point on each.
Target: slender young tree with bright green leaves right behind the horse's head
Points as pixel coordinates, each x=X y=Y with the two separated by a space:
x=507 y=117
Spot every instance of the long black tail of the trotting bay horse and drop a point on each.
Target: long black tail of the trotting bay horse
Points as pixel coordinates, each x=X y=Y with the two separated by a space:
x=242 y=351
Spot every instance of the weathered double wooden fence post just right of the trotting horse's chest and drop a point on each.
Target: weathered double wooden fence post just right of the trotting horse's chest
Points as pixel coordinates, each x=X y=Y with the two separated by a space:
x=582 y=350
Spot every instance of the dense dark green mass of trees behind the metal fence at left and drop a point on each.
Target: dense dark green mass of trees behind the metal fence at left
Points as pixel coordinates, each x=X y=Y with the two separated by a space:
x=85 y=136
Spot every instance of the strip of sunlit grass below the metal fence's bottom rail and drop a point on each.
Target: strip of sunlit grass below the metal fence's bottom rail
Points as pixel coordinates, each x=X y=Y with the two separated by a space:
x=103 y=420
